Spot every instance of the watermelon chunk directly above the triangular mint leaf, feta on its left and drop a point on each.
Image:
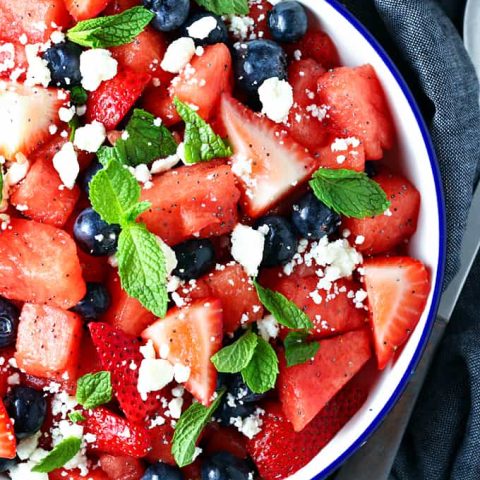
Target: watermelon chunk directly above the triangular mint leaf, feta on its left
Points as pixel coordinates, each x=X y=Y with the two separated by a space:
x=202 y=85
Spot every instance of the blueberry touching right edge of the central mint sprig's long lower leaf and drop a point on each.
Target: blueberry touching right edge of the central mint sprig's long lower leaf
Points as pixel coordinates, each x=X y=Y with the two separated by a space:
x=195 y=257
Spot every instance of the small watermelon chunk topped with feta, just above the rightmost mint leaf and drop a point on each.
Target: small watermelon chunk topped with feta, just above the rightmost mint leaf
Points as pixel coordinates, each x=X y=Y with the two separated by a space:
x=341 y=152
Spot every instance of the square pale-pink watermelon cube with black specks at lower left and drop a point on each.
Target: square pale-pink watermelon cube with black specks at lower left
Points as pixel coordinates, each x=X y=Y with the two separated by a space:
x=48 y=342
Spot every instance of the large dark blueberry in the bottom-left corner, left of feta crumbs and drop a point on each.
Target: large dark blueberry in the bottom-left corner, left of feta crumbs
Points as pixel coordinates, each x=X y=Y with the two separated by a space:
x=27 y=407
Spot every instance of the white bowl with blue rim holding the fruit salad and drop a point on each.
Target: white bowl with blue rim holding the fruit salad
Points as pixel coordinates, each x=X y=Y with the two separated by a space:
x=415 y=157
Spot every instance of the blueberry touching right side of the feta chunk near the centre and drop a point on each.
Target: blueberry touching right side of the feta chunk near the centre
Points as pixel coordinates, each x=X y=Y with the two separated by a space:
x=280 y=240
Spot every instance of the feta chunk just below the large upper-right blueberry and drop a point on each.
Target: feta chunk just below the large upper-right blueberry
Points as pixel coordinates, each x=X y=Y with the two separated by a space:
x=277 y=98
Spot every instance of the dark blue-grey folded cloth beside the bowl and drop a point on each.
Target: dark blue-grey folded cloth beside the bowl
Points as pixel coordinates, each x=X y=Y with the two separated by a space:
x=443 y=439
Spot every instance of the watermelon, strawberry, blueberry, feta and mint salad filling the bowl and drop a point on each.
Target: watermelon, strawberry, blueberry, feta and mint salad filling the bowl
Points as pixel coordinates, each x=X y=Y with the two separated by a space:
x=203 y=241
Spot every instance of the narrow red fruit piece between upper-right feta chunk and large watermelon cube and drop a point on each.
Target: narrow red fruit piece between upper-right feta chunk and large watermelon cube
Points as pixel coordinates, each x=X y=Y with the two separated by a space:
x=305 y=121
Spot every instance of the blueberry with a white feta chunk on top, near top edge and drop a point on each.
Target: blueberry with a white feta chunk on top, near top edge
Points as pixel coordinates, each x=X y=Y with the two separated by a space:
x=199 y=23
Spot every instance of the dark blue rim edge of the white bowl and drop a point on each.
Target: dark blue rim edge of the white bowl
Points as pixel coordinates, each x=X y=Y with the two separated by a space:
x=342 y=10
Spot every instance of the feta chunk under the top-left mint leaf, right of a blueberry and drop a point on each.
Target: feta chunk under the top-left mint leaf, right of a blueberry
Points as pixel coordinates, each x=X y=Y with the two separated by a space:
x=96 y=66
